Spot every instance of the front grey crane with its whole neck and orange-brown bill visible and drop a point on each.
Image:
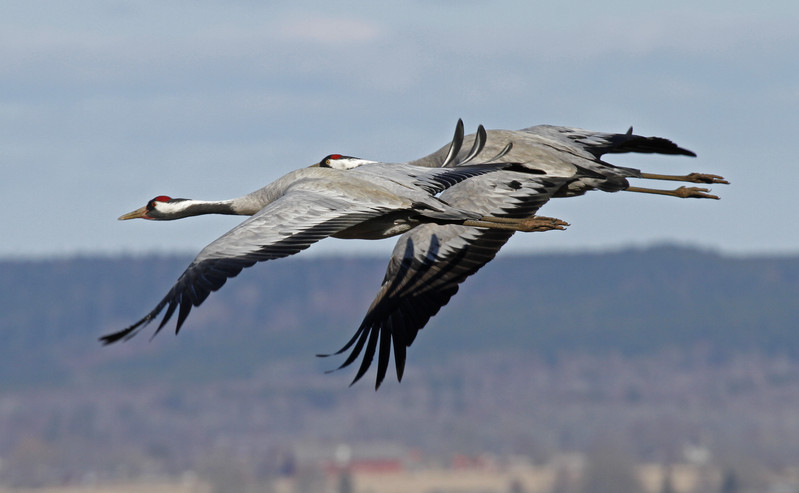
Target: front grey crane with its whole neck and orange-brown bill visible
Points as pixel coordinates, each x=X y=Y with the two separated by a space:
x=340 y=196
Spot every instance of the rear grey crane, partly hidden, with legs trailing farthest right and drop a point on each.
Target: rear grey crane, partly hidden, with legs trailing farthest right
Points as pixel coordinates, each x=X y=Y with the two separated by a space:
x=430 y=262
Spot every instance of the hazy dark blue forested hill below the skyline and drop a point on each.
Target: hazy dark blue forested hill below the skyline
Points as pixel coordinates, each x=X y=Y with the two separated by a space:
x=634 y=302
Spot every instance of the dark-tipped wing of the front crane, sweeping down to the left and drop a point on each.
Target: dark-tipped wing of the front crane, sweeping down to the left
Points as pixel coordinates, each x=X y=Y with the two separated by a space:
x=282 y=228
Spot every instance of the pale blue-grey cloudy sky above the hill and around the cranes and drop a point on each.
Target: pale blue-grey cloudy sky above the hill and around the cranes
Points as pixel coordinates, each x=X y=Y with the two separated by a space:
x=104 y=105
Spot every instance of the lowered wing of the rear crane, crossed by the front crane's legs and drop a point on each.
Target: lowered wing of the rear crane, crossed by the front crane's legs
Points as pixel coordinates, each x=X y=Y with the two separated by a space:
x=430 y=261
